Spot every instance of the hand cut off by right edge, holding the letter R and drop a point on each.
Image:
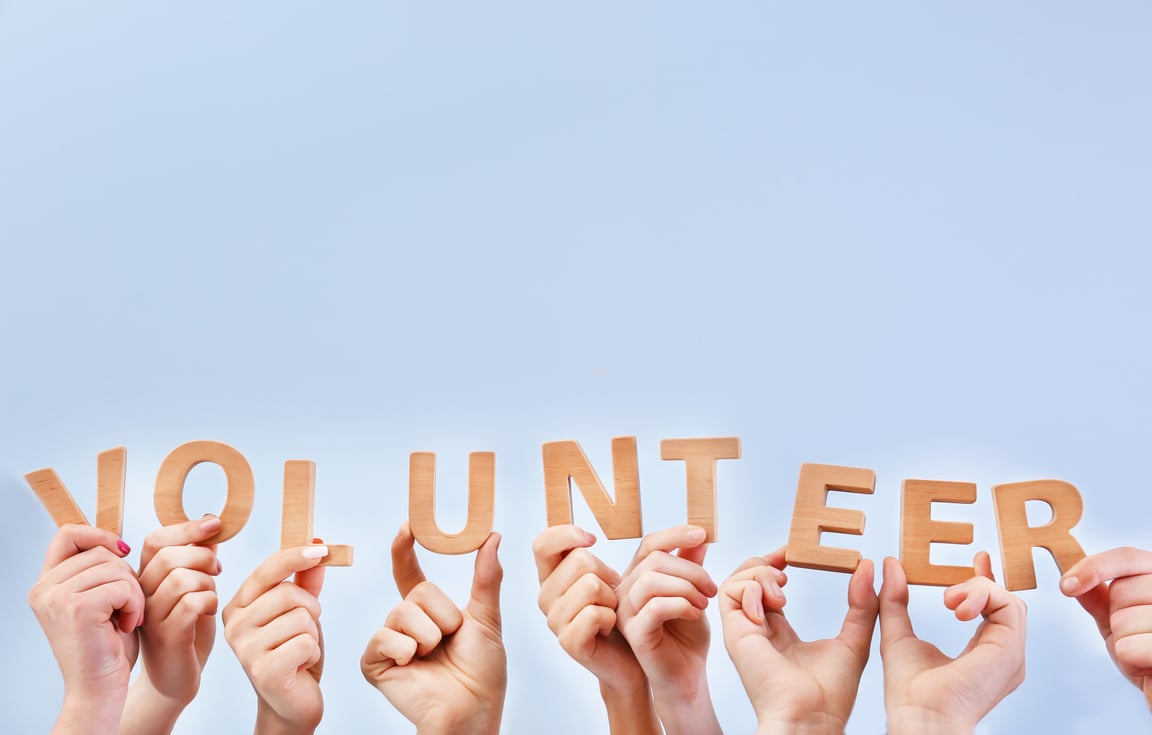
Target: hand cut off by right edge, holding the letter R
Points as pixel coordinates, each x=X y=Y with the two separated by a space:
x=1116 y=588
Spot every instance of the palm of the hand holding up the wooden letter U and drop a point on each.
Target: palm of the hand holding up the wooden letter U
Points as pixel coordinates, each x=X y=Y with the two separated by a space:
x=460 y=680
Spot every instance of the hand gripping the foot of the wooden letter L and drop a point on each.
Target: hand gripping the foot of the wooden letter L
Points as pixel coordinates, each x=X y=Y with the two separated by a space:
x=275 y=628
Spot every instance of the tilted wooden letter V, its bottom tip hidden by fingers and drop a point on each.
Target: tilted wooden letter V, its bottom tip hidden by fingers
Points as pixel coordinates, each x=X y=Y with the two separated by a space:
x=110 y=494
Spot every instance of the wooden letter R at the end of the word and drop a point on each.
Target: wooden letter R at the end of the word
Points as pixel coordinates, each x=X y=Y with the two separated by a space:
x=1018 y=539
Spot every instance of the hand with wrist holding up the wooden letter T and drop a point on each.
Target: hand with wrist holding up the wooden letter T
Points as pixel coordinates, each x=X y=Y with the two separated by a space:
x=662 y=600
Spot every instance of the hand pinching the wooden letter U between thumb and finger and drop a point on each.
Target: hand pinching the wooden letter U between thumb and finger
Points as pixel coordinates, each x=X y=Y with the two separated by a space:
x=443 y=668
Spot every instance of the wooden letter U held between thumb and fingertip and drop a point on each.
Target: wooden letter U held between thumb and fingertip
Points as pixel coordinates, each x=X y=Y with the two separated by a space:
x=482 y=482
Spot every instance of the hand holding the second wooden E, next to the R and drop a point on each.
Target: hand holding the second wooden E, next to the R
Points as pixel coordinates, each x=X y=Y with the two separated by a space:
x=926 y=691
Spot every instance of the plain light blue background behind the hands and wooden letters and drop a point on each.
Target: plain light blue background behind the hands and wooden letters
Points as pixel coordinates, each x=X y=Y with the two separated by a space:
x=906 y=237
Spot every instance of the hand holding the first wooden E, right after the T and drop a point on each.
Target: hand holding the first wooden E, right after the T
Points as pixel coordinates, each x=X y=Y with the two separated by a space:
x=791 y=683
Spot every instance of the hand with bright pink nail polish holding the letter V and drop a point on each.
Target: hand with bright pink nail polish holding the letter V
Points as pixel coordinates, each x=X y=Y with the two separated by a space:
x=89 y=604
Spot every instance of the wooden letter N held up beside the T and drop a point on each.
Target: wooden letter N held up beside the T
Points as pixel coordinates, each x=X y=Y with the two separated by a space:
x=566 y=463
